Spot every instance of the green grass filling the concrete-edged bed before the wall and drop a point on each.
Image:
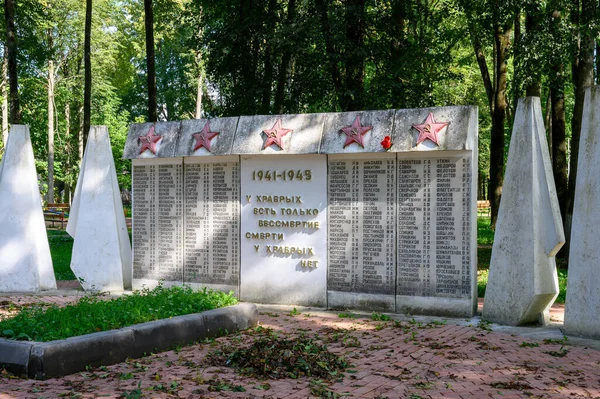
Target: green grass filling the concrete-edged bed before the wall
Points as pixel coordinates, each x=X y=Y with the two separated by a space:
x=92 y=313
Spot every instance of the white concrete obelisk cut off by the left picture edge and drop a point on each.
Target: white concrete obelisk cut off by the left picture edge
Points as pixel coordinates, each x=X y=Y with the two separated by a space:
x=25 y=262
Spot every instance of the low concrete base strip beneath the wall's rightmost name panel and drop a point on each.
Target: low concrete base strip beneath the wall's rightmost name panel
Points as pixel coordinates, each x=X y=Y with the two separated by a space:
x=435 y=306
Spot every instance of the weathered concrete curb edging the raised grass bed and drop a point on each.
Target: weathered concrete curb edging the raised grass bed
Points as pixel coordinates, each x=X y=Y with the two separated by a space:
x=41 y=360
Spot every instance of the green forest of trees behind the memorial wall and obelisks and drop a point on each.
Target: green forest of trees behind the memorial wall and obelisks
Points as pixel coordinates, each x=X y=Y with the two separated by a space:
x=179 y=59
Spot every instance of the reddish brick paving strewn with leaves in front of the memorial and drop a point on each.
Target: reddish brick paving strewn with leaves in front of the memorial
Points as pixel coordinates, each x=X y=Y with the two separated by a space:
x=389 y=360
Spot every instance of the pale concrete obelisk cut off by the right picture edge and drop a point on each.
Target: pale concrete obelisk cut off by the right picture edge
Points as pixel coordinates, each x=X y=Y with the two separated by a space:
x=582 y=309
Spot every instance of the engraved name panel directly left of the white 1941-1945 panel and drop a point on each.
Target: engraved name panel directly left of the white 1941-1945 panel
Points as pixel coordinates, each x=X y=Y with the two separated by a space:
x=212 y=222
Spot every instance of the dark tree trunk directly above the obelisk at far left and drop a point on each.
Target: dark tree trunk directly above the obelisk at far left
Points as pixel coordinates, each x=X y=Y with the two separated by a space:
x=11 y=43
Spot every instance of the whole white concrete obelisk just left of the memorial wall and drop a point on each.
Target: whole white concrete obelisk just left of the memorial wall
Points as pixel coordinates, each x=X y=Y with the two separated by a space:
x=101 y=257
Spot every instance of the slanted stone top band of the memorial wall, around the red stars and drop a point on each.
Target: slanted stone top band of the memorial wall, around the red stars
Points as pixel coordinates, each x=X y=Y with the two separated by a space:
x=315 y=133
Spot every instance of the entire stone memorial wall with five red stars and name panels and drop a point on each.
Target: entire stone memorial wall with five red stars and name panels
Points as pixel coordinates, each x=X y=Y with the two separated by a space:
x=372 y=210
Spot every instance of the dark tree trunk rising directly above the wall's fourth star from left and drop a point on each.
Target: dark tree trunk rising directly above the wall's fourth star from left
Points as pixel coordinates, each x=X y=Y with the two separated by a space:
x=354 y=56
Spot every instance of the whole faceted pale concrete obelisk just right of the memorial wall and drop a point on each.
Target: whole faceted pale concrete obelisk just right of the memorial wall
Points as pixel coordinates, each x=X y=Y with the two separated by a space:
x=523 y=283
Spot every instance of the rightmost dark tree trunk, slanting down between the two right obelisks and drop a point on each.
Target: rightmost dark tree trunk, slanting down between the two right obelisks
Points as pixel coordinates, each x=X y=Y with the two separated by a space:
x=583 y=77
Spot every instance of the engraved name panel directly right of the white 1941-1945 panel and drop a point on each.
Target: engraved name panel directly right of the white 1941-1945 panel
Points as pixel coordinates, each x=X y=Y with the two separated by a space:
x=361 y=231
